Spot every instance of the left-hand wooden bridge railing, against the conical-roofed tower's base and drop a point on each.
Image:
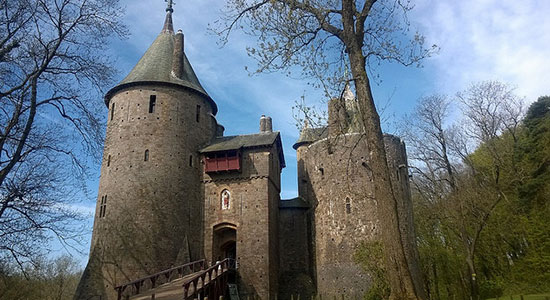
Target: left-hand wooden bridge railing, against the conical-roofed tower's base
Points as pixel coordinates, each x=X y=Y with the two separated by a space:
x=146 y=283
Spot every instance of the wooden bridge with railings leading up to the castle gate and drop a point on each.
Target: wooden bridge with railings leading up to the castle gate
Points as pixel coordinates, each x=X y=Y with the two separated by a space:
x=190 y=281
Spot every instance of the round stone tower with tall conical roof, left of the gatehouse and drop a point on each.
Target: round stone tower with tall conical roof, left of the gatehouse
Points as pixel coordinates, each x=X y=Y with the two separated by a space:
x=149 y=209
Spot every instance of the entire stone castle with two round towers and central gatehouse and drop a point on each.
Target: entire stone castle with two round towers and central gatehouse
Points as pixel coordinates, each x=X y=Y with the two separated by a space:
x=174 y=189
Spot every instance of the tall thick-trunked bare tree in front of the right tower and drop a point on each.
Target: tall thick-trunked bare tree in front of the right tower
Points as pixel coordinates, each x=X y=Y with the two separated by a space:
x=323 y=36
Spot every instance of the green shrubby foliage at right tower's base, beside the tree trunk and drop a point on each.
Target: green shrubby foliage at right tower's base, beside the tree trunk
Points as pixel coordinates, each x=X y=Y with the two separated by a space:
x=370 y=256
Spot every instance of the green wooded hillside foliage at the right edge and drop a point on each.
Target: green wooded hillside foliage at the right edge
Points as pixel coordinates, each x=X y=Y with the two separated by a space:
x=501 y=204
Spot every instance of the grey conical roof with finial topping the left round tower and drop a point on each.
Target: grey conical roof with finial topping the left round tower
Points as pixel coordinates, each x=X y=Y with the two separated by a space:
x=156 y=66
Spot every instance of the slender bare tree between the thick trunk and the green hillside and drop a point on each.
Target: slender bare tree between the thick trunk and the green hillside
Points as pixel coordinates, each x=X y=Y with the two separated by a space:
x=428 y=133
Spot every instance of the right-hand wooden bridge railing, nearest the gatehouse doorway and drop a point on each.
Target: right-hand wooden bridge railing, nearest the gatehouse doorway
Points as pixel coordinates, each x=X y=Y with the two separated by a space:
x=210 y=282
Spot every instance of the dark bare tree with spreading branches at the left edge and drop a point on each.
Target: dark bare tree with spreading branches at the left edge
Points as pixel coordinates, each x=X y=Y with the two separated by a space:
x=52 y=73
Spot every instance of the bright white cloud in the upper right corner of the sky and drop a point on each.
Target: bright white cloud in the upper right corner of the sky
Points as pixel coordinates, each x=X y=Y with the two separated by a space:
x=505 y=40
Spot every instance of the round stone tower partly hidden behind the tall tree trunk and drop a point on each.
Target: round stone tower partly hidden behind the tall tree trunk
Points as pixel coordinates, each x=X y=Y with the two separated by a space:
x=335 y=179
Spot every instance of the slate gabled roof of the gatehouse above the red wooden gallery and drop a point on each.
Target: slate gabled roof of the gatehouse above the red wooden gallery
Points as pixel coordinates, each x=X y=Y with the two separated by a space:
x=263 y=139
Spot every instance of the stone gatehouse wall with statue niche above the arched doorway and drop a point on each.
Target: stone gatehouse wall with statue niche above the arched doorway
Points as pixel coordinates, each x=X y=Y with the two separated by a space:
x=253 y=215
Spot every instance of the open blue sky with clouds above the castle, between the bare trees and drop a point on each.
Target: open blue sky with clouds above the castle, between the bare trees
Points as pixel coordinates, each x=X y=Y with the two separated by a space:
x=505 y=40
